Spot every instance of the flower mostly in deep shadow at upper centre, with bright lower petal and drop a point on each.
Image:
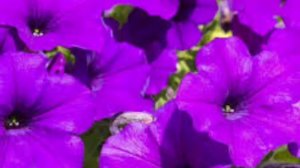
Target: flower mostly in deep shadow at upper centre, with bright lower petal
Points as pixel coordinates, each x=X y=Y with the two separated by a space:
x=139 y=31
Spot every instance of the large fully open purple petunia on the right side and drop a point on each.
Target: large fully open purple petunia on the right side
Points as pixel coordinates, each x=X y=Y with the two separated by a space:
x=249 y=103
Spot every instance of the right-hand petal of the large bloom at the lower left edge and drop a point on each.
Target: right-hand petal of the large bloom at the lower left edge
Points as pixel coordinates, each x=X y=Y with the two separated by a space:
x=71 y=113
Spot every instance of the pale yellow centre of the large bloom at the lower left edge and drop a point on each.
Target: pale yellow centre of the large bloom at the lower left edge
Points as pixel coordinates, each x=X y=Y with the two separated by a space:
x=14 y=122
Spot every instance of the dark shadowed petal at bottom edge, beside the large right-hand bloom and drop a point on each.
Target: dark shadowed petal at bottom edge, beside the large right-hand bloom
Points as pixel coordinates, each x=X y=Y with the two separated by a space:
x=186 y=146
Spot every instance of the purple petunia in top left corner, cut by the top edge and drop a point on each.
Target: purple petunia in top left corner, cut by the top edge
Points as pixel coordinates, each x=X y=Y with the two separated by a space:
x=45 y=24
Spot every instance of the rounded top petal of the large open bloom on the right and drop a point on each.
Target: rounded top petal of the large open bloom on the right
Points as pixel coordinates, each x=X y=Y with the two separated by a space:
x=226 y=64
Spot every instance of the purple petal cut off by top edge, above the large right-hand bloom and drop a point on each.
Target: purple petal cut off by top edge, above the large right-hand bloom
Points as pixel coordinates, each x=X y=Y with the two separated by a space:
x=260 y=16
